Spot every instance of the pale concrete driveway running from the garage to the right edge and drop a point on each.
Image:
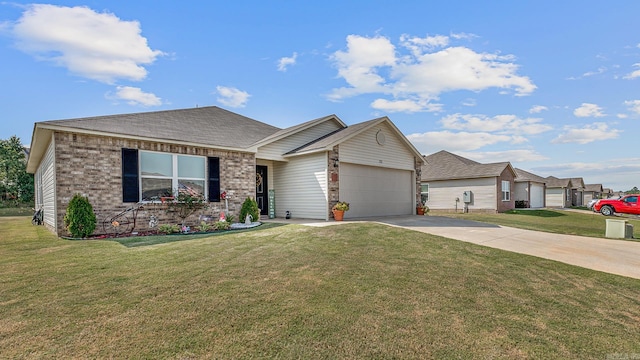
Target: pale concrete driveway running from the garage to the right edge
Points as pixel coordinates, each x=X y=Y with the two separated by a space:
x=618 y=257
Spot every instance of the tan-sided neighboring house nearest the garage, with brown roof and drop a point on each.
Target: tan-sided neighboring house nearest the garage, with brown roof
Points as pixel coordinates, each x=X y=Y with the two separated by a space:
x=452 y=182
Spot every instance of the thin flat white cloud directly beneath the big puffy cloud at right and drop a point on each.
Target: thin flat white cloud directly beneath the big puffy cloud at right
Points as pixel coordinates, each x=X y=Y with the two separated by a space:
x=504 y=124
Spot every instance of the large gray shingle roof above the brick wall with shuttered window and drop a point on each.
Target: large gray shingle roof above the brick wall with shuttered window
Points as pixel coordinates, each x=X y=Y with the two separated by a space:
x=209 y=126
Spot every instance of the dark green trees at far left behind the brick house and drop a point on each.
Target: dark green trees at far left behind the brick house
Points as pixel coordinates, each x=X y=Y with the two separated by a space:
x=16 y=185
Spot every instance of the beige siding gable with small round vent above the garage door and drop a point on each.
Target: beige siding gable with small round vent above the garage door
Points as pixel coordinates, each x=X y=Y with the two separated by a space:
x=363 y=149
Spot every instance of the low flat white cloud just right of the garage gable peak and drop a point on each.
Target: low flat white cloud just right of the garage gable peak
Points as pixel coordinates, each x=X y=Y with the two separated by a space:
x=433 y=141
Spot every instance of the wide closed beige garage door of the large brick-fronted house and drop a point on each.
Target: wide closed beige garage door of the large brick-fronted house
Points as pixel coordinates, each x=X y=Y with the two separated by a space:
x=374 y=191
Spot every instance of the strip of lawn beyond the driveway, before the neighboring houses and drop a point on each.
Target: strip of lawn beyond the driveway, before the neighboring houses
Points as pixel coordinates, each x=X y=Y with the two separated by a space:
x=554 y=221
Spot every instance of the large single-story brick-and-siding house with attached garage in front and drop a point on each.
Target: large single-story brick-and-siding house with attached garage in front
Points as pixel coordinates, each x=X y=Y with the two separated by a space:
x=120 y=160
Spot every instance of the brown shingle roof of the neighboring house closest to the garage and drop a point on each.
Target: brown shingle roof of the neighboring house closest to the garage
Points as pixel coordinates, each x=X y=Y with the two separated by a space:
x=444 y=165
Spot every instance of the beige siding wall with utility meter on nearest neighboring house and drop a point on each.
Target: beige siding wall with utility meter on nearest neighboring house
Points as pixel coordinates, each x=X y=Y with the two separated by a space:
x=443 y=194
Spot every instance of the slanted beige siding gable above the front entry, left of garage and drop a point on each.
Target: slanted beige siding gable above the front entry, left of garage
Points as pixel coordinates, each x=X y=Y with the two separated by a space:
x=275 y=150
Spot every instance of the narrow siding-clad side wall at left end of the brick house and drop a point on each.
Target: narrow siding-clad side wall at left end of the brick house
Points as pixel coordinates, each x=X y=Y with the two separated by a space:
x=45 y=177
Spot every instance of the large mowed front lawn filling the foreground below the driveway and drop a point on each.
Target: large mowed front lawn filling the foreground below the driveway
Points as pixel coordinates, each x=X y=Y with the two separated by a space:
x=356 y=291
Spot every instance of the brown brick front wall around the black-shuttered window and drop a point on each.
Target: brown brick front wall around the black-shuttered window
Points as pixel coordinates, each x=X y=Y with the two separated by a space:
x=91 y=165
